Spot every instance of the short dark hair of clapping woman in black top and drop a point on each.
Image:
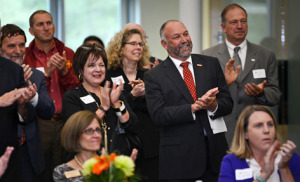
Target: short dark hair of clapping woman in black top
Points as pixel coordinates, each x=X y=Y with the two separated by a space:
x=82 y=54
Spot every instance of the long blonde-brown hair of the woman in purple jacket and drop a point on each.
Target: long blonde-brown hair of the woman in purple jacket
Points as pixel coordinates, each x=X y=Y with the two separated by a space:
x=240 y=146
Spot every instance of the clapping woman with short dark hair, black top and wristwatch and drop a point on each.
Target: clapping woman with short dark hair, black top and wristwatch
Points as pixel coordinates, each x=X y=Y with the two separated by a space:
x=89 y=64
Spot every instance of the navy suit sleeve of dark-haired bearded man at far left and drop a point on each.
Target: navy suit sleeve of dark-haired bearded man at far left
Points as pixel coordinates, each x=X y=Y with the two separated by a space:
x=45 y=107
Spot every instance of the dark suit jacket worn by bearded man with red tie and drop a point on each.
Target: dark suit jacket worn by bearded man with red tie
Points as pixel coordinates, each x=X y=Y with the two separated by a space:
x=182 y=146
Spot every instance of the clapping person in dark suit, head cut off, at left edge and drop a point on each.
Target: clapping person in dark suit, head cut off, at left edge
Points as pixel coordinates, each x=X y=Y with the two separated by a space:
x=14 y=109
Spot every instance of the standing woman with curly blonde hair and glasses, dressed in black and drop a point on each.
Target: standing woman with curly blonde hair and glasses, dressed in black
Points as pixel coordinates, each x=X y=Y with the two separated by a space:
x=127 y=55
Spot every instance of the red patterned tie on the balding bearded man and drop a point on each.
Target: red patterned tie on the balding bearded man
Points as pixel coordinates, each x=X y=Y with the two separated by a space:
x=188 y=79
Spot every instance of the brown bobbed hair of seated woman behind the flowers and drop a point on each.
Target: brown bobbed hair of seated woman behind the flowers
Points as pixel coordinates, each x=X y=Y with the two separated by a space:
x=74 y=127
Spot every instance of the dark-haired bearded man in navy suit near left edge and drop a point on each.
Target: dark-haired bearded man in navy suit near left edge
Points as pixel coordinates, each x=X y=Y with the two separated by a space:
x=13 y=47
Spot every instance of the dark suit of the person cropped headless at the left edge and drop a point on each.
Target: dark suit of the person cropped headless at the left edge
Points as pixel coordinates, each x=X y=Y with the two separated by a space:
x=12 y=77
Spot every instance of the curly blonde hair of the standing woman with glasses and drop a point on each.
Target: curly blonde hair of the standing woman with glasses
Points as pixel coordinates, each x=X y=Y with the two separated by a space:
x=114 y=49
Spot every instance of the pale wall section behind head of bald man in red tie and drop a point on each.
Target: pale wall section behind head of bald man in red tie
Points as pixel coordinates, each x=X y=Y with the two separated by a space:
x=155 y=12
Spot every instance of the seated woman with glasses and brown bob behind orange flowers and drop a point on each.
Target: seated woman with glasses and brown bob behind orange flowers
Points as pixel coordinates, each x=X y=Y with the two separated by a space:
x=81 y=134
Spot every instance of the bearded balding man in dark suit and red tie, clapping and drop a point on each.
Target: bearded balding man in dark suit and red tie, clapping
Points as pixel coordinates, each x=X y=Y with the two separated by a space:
x=192 y=141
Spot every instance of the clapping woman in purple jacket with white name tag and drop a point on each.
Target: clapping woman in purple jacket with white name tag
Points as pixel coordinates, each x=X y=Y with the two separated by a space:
x=256 y=153
